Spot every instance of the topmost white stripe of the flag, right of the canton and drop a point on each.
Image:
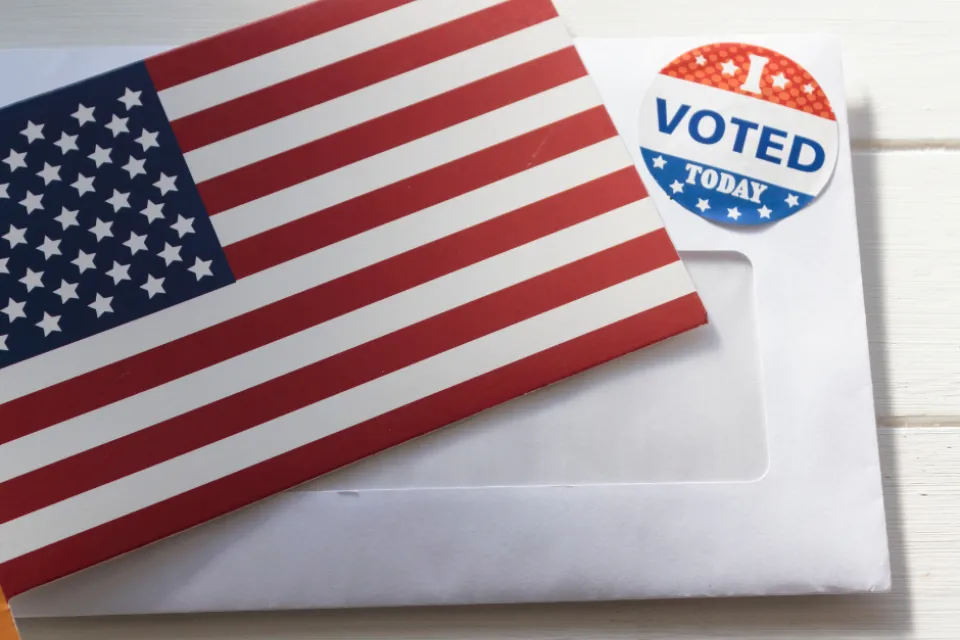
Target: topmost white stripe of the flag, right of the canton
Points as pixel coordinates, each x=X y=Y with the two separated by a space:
x=318 y=51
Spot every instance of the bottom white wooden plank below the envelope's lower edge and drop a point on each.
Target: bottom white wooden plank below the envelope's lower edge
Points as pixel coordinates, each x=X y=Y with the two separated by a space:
x=922 y=481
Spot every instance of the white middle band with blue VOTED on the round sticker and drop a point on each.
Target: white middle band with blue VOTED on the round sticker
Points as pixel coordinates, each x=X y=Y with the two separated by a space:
x=721 y=154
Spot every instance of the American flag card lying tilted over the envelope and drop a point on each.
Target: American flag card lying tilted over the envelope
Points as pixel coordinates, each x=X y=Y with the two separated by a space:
x=246 y=262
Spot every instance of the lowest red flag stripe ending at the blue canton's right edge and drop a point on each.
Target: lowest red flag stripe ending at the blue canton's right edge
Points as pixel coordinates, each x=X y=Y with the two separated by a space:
x=424 y=190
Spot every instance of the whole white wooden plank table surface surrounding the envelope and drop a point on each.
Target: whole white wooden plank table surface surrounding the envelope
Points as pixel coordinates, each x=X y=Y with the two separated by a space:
x=902 y=67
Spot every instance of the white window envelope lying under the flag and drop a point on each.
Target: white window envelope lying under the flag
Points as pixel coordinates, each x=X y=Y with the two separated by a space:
x=736 y=459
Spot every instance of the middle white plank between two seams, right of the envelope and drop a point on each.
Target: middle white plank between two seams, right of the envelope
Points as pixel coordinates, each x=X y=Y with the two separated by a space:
x=909 y=232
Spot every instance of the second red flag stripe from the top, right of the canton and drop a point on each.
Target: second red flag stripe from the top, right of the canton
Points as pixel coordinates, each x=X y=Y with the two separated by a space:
x=326 y=83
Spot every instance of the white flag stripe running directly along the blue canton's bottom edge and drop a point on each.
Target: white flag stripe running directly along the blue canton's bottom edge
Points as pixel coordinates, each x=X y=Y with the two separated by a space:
x=320 y=266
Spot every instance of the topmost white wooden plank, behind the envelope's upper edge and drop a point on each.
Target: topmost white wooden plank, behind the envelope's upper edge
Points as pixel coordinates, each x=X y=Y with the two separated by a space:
x=899 y=63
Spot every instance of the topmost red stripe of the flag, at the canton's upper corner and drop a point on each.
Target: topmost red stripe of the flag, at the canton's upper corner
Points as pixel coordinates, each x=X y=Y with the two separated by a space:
x=252 y=40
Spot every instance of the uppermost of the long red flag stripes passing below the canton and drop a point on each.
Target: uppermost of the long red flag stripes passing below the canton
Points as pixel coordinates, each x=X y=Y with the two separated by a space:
x=160 y=365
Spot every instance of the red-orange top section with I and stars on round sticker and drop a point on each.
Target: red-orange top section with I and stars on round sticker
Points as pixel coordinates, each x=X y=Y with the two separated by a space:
x=705 y=66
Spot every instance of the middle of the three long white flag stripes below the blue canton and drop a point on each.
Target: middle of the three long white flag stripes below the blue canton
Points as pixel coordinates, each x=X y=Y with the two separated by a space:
x=322 y=341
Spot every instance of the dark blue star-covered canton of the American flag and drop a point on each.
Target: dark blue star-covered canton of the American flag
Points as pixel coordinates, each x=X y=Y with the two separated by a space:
x=100 y=221
